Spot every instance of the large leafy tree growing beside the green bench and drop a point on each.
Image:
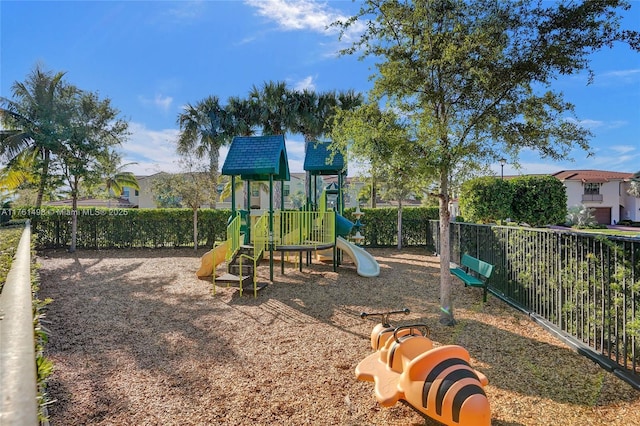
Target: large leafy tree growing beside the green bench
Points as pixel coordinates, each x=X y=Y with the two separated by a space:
x=474 y=77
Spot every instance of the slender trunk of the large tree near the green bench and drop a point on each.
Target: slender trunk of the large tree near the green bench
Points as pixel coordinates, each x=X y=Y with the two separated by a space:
x=446 y=305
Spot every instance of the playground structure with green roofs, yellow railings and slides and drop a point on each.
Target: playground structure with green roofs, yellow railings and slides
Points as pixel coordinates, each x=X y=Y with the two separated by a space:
x=249 y=240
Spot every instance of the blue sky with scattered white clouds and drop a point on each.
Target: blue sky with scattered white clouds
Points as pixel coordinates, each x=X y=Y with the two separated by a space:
x=153 y=57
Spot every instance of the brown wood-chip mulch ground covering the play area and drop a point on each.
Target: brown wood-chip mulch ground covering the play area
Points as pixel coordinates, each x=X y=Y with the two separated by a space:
x=137 y=339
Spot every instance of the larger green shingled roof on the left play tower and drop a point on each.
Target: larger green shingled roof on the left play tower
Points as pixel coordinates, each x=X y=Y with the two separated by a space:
x=257 y=158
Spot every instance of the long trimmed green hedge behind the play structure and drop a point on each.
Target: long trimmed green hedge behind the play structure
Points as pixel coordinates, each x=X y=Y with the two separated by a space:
x=101 y=228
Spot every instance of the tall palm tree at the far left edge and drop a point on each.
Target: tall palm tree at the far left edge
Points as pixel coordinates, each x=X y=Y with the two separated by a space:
x=37 y=116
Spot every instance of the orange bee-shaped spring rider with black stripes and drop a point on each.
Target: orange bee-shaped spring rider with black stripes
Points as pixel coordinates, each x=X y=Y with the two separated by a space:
x=437 y=382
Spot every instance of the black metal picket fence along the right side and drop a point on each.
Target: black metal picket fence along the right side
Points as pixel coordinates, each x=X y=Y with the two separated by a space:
x=584 y=287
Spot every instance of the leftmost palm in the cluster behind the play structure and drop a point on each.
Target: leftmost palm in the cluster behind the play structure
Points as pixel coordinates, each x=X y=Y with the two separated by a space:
x=202 y=129
